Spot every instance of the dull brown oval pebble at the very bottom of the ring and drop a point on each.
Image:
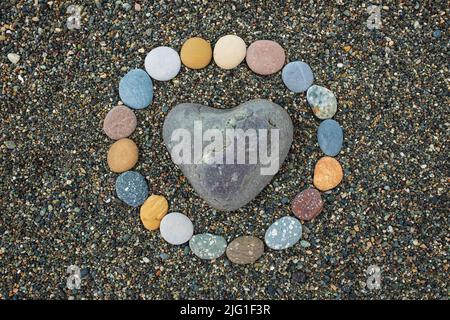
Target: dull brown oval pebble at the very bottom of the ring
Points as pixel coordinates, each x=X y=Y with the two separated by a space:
x=245 y=250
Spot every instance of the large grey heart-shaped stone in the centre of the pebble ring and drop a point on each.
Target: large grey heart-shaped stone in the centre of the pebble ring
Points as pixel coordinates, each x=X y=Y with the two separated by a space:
x=192 y=133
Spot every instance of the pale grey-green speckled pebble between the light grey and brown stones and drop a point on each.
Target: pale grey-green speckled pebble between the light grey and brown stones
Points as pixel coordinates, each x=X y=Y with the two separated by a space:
x=208 y=246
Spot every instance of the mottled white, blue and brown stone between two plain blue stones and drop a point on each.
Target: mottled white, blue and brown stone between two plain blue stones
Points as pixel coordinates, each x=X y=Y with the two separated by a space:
x=322 y=101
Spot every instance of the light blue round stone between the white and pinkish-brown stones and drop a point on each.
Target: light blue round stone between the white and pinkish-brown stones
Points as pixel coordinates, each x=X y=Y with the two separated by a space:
x=136 y=89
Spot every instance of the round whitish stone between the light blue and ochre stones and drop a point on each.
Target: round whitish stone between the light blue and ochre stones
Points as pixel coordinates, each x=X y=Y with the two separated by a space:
x=162 y=63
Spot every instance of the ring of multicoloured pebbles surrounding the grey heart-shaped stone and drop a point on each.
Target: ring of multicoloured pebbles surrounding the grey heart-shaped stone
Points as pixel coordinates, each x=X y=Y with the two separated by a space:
x=264 y=57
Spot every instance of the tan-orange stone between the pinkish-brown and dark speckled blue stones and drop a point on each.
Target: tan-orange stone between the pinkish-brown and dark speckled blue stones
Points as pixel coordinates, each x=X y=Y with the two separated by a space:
x=122 y=155
